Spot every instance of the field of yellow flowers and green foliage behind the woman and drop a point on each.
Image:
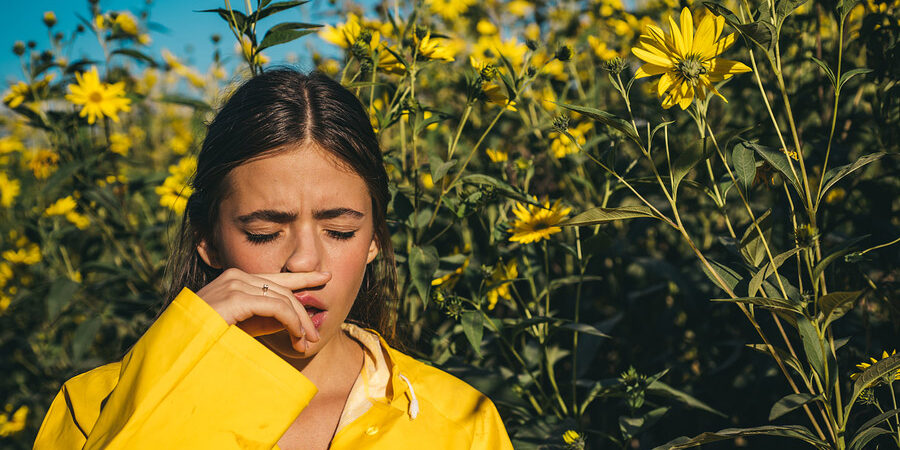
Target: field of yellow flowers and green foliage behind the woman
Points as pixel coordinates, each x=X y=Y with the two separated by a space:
x=631 y=225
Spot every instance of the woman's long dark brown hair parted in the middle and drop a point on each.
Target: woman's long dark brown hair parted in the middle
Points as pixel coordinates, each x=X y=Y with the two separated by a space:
x=279 y=109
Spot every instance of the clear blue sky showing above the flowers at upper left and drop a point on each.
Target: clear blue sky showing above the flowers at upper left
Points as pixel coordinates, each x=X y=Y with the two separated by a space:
x=187 y=33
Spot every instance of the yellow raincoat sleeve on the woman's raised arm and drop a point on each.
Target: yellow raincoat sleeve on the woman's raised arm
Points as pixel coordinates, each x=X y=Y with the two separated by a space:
x=192 y=381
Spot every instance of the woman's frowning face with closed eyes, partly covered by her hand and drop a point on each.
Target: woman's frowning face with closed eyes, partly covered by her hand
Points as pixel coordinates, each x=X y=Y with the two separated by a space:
x=299 y=211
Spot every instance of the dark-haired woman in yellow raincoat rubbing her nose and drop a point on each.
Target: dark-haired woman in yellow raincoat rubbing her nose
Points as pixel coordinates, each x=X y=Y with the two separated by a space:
x=284 y=249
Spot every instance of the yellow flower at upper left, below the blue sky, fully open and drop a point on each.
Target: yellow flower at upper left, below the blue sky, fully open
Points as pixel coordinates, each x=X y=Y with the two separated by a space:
x=98 y=99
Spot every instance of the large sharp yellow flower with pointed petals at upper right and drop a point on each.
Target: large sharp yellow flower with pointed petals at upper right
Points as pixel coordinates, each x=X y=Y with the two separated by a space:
x=687 y=58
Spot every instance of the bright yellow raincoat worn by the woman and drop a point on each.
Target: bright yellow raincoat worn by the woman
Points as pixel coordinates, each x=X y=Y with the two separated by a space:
x=192 y=381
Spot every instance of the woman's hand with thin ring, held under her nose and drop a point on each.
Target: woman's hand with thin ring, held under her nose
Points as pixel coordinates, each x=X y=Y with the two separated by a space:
x=239 y=298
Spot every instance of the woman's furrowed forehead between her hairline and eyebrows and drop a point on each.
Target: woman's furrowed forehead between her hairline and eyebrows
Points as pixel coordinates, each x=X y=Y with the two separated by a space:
x=301 y=178
